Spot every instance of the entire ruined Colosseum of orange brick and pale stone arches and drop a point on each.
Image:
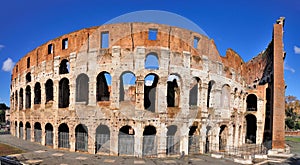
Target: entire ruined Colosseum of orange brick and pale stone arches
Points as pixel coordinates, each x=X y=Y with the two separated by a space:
x=148 y=89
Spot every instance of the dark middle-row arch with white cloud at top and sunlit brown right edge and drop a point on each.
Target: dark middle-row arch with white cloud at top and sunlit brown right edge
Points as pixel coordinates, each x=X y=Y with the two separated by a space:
x=173 y=91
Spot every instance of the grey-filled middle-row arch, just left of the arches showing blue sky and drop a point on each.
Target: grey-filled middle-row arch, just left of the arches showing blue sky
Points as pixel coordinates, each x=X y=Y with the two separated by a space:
x=82 y=88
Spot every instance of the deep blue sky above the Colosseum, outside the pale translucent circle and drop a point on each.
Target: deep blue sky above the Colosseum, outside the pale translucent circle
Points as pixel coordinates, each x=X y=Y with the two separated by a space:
x=244 y=26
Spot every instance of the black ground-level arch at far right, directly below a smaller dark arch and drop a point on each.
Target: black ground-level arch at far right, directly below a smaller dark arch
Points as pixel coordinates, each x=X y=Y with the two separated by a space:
x=251 y=129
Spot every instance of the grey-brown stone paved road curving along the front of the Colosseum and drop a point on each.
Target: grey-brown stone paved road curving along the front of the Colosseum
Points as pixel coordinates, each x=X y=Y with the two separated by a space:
x=38 y=154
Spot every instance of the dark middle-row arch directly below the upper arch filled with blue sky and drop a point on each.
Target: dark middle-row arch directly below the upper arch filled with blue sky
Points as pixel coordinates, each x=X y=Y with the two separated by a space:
x=150 y=84
